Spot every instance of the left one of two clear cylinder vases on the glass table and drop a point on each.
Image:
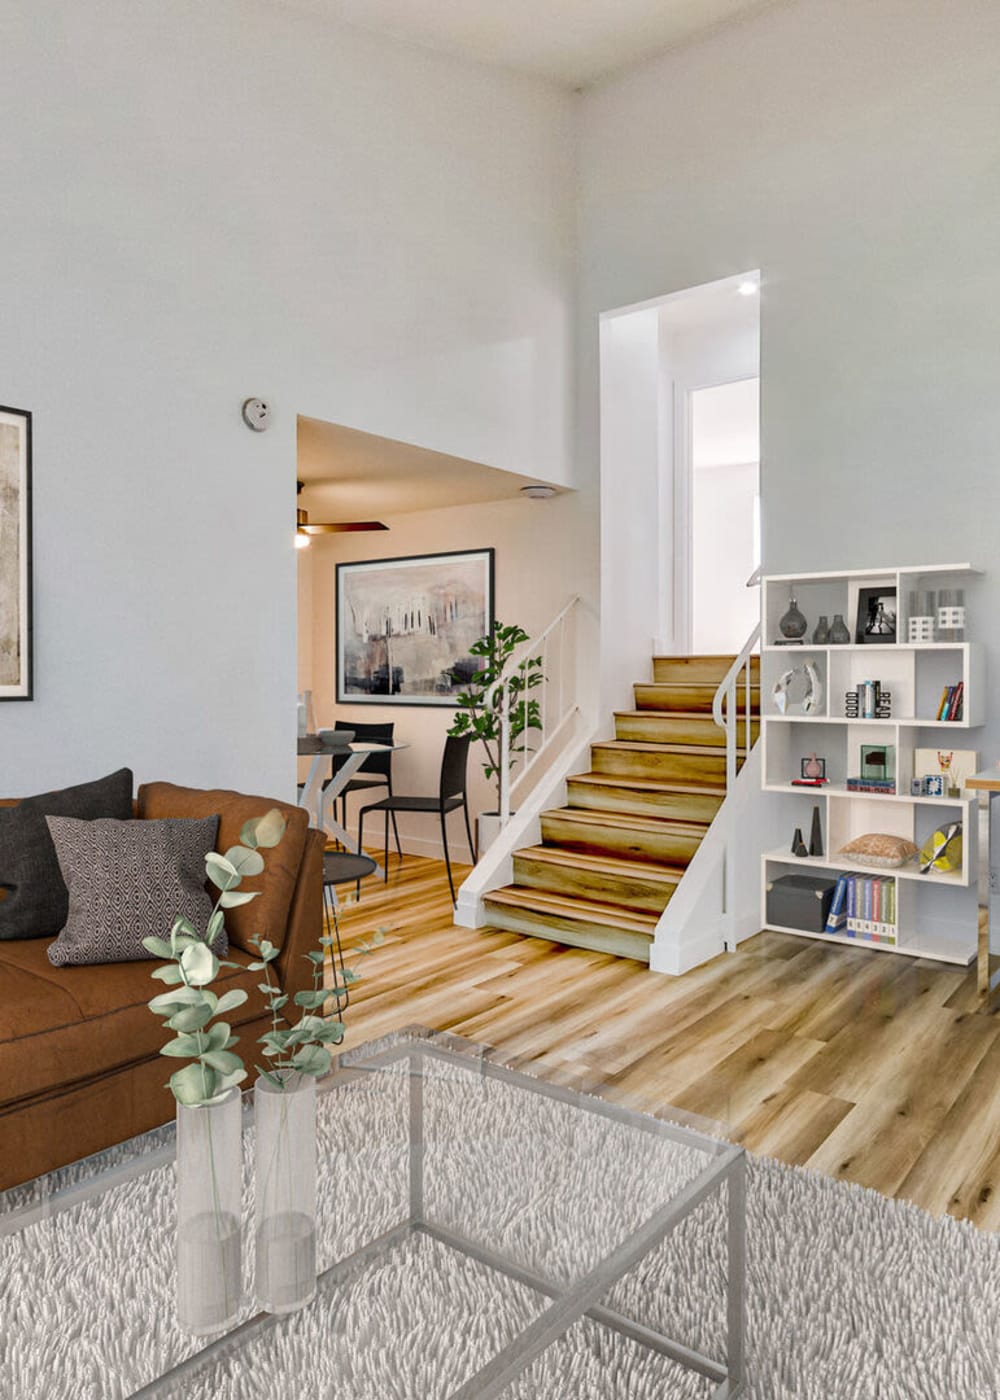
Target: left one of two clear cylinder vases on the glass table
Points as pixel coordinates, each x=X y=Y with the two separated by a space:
x=209 y=1186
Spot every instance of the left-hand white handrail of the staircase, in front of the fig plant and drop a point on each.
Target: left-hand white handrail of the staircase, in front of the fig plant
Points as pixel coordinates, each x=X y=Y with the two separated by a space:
x=551 y=646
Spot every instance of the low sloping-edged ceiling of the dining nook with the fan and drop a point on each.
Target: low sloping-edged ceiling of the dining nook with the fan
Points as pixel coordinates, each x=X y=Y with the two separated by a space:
x=352 y=475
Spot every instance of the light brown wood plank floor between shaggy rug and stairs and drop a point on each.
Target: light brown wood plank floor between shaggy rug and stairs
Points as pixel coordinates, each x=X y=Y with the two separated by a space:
x=866 y=1066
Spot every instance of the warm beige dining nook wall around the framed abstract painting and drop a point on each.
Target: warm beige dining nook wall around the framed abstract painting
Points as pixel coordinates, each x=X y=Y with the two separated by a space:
x=544 y=556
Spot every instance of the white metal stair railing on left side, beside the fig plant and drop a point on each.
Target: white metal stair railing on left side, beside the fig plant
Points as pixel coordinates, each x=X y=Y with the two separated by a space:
x=555 y=694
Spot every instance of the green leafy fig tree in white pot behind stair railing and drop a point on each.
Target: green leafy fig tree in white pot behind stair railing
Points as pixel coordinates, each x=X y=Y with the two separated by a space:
x=481 y=709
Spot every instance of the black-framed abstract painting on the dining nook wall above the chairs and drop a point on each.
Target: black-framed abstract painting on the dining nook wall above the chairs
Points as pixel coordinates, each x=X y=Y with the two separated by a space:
x=404 y=626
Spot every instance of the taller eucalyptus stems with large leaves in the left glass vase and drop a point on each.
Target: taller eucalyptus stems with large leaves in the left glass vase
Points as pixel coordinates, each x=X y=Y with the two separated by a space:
x=191 y=1007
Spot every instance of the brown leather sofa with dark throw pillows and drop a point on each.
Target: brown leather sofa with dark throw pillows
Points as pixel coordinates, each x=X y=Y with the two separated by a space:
x=79 y=1046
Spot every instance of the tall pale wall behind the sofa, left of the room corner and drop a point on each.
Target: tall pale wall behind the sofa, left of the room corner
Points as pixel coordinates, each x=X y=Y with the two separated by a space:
x=212 y=201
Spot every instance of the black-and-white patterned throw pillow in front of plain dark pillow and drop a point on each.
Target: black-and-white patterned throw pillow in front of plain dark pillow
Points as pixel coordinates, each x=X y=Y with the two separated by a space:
x=127 y=881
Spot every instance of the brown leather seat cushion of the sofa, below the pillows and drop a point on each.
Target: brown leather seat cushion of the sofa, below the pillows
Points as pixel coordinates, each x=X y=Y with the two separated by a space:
x=65 y=1025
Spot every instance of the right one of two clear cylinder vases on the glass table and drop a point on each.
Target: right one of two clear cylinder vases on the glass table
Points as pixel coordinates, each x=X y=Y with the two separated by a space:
x=286 y=1193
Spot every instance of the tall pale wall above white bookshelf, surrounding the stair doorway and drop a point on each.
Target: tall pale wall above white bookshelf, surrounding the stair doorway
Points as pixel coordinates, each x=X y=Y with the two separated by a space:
x=852 y=153
